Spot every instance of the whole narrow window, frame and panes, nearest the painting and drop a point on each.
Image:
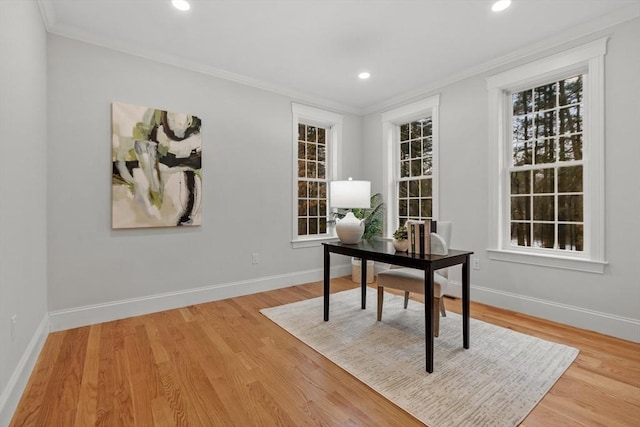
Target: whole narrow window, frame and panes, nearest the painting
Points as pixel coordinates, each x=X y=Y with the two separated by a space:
x=315 y=136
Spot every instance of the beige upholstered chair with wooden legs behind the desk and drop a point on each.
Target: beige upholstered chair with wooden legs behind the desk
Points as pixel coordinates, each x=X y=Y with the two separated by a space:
x=412 y=280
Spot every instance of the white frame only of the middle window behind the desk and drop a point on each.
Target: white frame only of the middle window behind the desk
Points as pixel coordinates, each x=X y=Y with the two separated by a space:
x=391 y=121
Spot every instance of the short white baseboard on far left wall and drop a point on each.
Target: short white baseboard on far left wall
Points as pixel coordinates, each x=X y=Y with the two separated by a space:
x=12 y=393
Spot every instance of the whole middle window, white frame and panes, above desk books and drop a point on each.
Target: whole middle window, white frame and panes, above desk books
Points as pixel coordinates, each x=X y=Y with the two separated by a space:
x=410 y=140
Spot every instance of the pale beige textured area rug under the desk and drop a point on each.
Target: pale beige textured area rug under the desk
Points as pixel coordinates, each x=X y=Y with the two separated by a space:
x=496 y=382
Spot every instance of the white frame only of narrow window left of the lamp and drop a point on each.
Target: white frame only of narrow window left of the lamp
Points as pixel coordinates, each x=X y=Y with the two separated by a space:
x=332 y=122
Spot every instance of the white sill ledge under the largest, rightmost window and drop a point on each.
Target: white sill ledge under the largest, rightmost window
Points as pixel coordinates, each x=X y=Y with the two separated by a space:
x=576 y=264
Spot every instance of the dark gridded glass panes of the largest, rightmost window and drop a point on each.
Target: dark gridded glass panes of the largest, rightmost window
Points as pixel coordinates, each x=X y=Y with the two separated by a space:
x=546 y=191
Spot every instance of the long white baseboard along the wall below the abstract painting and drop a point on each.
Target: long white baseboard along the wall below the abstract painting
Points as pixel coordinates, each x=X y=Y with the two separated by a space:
x=98 y=313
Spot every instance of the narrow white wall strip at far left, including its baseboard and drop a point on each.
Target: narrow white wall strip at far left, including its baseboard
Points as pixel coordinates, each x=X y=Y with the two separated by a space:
x=23 y=195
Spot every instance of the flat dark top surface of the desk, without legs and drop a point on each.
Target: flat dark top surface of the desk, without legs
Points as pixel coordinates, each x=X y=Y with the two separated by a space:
x=383 y=251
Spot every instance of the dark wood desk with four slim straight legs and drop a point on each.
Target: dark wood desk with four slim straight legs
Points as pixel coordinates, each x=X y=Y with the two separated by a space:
x=383 y=251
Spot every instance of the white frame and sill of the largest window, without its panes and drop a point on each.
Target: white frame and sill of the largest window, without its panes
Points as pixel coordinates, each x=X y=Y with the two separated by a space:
x=588 y=60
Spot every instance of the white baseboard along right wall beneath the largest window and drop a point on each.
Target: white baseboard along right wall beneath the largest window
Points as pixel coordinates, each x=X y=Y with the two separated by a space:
x=604 y=323
